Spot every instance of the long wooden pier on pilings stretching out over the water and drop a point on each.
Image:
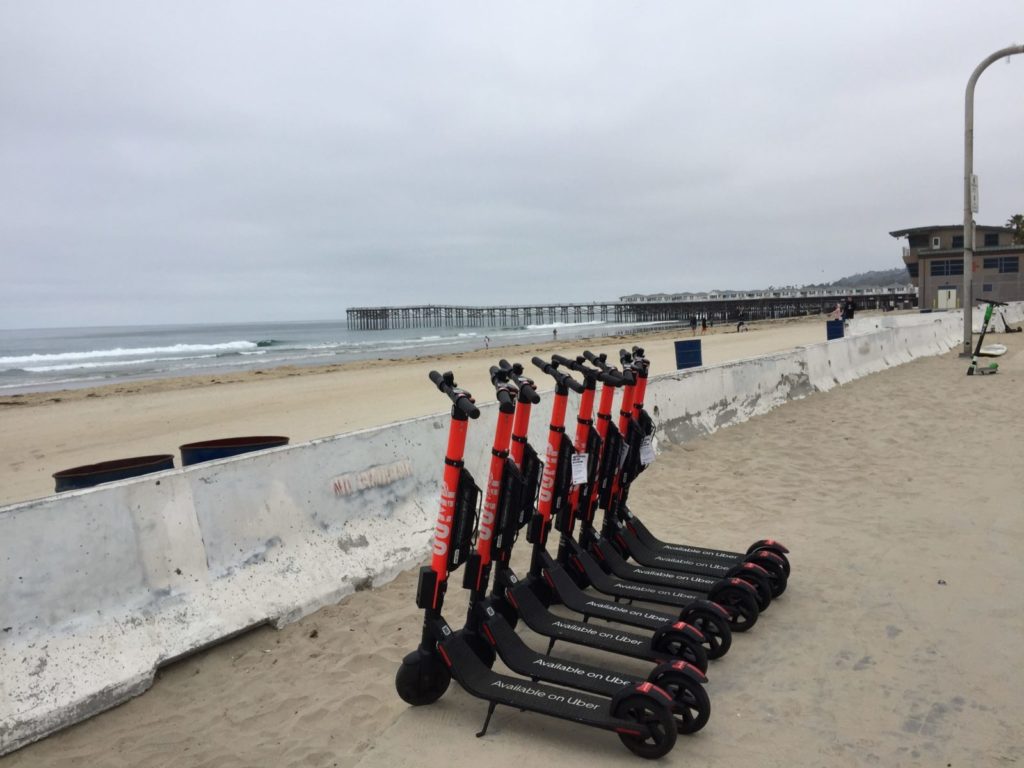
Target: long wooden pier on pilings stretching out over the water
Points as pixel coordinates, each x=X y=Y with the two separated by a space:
x=718 y=309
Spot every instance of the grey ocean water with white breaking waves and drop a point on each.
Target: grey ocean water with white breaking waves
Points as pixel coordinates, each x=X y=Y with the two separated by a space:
x=71 y=358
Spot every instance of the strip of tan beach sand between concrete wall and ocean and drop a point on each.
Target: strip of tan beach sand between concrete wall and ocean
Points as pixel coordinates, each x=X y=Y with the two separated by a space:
x=50 y=432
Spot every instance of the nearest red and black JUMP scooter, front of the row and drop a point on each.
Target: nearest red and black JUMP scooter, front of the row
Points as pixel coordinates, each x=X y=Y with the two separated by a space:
x=639 y=714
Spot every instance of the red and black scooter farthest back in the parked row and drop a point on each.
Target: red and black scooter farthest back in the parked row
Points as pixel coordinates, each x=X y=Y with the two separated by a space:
x=636 y=541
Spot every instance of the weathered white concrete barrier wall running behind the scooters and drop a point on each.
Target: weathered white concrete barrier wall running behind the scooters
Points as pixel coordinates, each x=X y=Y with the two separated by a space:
x=101 y=587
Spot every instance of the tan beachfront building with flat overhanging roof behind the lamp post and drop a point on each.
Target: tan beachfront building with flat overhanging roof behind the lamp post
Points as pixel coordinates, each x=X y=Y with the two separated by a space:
x=934 y=259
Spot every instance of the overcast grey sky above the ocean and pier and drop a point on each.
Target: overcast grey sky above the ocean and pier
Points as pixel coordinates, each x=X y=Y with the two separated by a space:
x=167 y=162
